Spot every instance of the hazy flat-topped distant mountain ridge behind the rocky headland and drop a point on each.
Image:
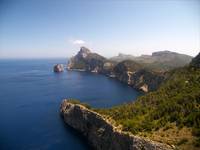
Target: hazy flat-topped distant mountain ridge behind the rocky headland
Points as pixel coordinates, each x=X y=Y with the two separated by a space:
x=160 y=61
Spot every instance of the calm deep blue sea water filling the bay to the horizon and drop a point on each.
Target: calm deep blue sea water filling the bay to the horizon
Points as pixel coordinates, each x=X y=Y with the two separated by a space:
x=30 y=95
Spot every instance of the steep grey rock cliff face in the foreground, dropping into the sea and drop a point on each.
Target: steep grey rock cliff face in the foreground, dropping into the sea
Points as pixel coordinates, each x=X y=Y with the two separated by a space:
x=101 y=134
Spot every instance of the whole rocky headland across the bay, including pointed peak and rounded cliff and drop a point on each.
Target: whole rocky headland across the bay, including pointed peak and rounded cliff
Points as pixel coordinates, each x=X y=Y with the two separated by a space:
x=128 y=71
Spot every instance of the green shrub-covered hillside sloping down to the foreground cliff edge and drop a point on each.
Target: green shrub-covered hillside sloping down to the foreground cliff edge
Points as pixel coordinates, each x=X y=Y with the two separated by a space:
x=175 y=105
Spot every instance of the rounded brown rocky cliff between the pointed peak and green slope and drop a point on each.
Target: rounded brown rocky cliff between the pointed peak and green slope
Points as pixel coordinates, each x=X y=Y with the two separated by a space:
x=136 y=76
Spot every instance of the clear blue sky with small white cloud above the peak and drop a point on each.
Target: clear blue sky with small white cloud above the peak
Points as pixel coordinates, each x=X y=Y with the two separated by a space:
x=57 y=28
